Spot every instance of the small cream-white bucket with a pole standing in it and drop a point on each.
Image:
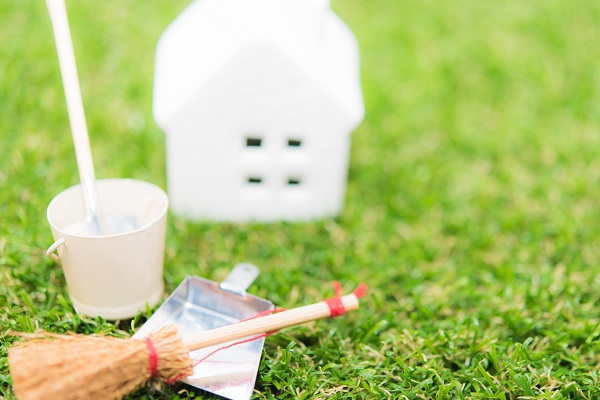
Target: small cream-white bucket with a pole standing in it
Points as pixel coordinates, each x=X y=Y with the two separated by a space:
x=112 y=276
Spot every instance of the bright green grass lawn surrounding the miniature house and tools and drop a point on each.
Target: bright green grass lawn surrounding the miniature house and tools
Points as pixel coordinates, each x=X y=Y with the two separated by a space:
x=471 y=212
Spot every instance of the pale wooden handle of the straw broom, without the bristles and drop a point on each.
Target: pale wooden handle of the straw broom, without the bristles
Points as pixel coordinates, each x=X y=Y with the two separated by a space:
x=269 y=323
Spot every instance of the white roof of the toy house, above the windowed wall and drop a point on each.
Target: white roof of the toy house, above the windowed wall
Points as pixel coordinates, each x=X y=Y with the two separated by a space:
x=209 y=36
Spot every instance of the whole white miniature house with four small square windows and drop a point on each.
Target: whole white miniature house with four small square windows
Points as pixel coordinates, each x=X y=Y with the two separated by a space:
x=258 y=99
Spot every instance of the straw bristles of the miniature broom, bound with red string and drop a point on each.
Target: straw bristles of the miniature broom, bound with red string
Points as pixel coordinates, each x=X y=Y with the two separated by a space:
x=69 y=367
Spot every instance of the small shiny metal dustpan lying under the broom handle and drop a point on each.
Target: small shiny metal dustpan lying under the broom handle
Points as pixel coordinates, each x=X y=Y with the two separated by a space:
x=198 y=305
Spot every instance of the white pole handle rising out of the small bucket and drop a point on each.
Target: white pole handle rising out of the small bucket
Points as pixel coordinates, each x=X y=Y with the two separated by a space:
x=68 y=69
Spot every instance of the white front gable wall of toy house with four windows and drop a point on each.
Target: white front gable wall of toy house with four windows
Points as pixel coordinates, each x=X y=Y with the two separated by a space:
x=217 y=171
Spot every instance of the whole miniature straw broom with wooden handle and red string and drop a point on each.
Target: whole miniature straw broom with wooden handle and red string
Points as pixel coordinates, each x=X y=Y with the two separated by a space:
x=51 y=366
